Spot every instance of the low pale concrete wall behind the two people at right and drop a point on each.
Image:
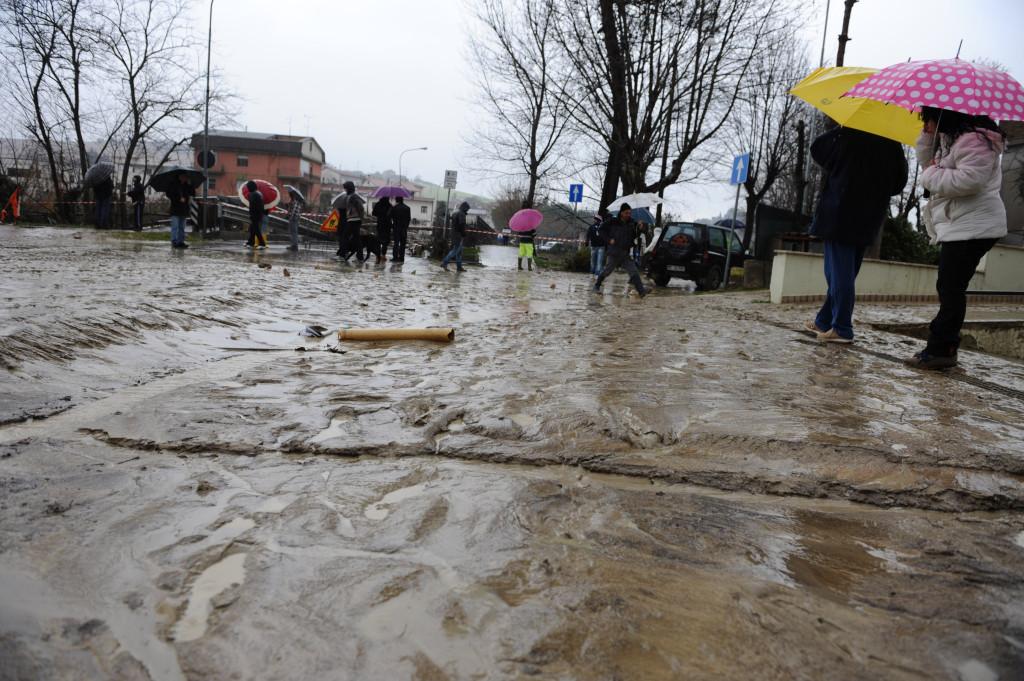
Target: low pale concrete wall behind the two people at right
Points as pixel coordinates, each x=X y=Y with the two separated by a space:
x=799 y=278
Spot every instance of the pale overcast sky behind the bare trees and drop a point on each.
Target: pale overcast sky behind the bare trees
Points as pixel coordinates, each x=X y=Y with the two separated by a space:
x=370 y=79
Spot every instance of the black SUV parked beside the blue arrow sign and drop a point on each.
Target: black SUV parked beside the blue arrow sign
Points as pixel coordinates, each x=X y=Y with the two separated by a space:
x=697 y=252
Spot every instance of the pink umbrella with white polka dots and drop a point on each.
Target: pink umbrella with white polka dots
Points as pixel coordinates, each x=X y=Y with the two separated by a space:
x=950 y=84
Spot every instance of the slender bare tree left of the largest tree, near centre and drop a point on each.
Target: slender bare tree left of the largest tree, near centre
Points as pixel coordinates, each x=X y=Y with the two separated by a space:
x=516 y=59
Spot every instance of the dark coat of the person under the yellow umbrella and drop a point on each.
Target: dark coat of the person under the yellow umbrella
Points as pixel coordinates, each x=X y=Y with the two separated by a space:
x=863 y=172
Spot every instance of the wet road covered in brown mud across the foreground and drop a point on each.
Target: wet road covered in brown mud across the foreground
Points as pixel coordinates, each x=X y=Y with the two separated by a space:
x=580 y=487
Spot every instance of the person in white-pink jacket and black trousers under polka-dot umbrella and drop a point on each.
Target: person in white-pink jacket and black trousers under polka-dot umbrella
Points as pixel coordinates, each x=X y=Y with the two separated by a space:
x=965 y=216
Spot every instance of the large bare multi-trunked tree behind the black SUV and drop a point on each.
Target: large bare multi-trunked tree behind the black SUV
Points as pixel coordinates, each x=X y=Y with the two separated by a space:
x=645 y=71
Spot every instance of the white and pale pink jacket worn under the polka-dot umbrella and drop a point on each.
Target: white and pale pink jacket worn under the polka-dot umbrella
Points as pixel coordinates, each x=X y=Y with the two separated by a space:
x=965 y=188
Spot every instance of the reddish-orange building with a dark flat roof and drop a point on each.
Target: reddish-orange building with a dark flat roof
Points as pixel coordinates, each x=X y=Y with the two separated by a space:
x=281 y=160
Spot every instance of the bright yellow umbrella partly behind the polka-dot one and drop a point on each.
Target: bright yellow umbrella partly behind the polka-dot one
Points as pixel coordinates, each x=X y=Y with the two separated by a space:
x=824 y=91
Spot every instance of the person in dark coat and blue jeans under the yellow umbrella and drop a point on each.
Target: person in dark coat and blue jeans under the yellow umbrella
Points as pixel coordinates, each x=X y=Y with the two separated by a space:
x=863 y=172
